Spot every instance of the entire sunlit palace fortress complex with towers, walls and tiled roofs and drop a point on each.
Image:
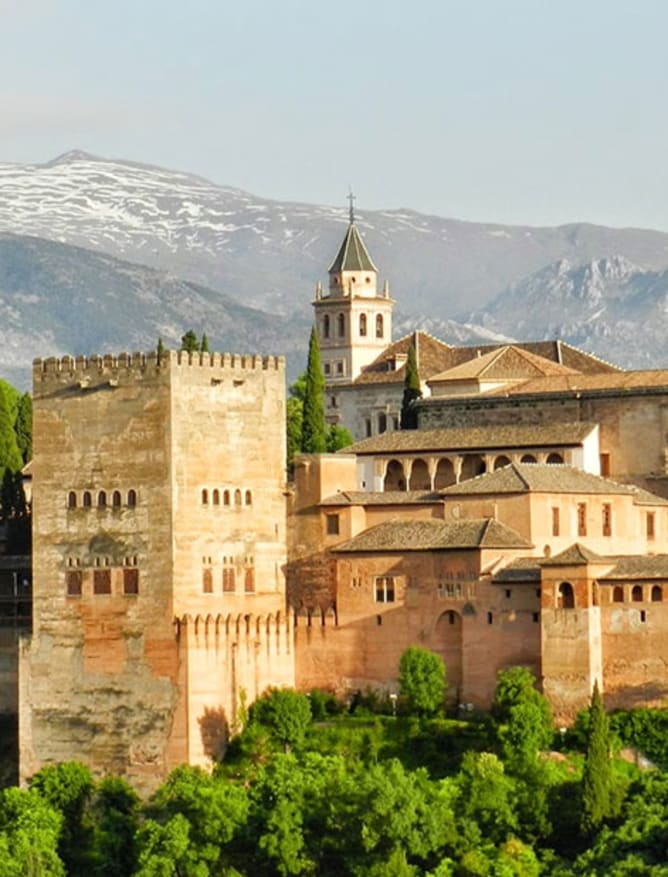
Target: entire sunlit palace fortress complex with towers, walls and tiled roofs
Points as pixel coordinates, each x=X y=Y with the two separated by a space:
x=176 y=574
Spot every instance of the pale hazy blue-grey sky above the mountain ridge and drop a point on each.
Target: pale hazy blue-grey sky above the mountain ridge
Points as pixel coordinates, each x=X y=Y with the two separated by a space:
x=526 y=111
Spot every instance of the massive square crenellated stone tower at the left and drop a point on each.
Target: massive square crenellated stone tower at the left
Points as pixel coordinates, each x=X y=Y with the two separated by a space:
x=159 y=554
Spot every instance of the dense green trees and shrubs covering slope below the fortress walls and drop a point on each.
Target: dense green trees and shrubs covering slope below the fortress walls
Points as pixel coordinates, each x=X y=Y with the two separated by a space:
x=313 y=786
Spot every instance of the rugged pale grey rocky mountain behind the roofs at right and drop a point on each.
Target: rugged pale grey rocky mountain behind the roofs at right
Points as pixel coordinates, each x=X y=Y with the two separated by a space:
x=609 y=306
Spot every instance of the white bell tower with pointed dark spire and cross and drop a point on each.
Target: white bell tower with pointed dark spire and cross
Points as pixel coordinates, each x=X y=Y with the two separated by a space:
x=353 y=320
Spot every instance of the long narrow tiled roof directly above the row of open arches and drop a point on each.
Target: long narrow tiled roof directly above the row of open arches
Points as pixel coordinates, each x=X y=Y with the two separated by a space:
x=519 y=435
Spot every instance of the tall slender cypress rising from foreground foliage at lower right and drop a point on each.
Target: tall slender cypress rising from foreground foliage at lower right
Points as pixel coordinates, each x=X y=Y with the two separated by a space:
x=597 y=773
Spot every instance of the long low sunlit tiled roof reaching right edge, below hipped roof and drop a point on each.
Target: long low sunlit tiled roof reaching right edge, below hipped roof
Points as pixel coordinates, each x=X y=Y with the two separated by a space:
x=574 y=384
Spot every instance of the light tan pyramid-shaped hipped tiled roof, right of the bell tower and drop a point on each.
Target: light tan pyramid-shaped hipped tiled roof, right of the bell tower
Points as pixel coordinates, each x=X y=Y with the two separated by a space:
x=505 y=363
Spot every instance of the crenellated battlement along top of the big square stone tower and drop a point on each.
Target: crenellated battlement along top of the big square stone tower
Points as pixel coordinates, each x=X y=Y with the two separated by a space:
x=85 y=369
